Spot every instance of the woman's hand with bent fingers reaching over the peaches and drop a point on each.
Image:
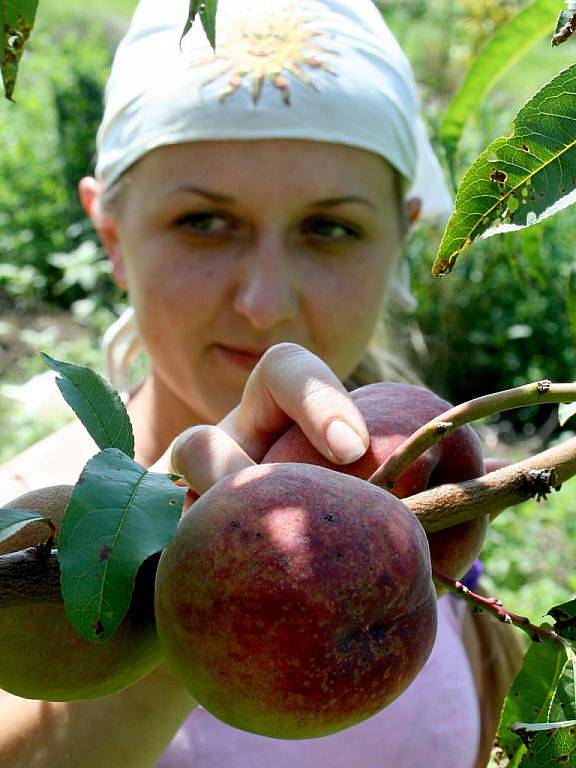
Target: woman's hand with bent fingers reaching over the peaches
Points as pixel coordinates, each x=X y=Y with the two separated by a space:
x=289 y=384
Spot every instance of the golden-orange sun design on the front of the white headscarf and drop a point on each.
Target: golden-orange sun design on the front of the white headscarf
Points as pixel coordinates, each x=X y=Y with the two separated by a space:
x=269 y=45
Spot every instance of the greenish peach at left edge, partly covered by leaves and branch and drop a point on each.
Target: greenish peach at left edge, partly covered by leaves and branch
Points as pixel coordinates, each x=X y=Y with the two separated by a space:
x=43 y=656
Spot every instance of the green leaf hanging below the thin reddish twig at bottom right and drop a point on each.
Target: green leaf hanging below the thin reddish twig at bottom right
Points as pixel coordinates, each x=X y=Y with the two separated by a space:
x=531 y=695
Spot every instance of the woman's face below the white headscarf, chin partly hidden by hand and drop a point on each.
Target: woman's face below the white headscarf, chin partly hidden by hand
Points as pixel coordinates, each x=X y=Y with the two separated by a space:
x=227 y=248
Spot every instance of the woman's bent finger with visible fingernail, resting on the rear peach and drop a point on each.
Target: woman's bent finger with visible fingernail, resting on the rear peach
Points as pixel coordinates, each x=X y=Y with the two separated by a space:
x=291 y=384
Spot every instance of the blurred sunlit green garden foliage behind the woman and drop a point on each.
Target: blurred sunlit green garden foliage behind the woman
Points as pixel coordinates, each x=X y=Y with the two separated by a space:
x=504 y=317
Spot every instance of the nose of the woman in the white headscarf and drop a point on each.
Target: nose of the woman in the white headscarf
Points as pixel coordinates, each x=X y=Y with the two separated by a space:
x=267 y=292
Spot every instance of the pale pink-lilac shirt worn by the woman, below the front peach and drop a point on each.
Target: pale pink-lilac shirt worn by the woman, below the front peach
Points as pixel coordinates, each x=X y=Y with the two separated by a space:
x=435 y=723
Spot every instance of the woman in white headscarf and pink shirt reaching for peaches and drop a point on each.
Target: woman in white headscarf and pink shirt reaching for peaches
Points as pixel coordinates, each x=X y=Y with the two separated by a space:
x=253 y=206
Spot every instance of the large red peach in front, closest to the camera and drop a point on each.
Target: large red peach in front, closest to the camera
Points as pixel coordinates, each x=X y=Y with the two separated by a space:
x=295 y=601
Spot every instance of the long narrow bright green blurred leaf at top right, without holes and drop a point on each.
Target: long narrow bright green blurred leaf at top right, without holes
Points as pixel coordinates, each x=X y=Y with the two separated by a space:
x=507 y=46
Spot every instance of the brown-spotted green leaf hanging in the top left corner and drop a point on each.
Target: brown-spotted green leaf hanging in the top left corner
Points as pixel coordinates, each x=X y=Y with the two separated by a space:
x=17 y=17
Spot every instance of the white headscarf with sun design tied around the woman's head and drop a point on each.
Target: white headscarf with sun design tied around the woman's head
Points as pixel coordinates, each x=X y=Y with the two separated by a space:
x=320 y=70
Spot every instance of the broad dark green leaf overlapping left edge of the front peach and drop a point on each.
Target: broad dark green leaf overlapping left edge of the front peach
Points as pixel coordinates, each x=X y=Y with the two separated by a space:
x=118 y=516
